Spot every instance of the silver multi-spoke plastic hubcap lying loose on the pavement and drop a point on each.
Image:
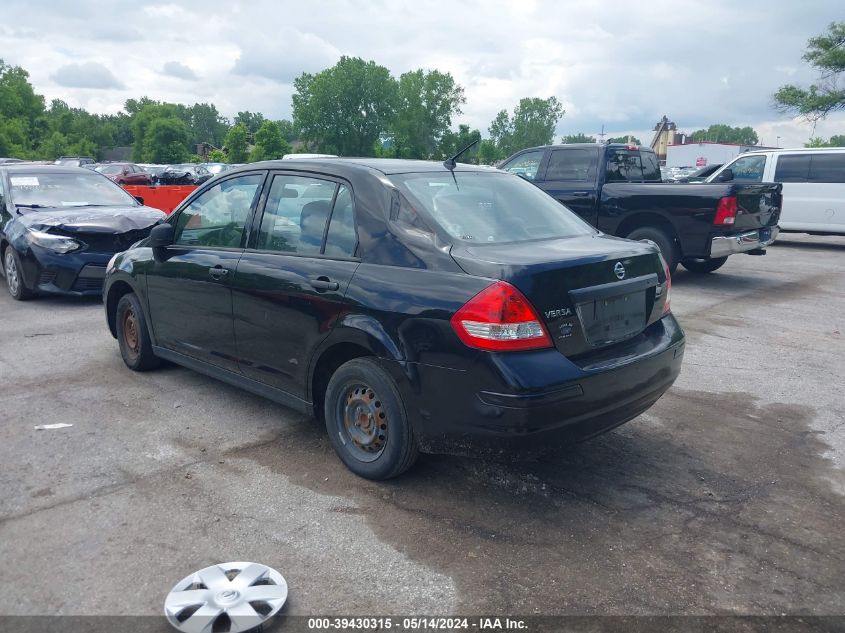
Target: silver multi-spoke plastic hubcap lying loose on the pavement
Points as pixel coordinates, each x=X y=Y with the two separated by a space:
x=232 y=597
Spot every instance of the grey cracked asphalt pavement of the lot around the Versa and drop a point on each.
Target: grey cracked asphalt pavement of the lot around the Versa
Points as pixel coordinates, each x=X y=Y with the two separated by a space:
x=725 y=498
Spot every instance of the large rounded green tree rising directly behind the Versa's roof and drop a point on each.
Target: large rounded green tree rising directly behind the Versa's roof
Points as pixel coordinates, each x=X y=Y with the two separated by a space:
x=344 y=109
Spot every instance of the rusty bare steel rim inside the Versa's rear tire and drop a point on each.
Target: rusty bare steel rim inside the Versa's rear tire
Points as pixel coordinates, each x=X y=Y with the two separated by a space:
x=364 y=421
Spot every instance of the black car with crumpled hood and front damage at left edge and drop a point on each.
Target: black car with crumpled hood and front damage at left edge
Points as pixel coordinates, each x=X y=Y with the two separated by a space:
x=59 y=226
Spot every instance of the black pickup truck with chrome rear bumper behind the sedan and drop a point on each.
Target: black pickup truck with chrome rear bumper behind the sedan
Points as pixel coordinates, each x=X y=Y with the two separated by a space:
x=617 y=188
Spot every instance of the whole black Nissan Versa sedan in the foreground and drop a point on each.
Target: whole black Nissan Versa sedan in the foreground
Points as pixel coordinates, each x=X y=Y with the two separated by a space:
x=413 y=306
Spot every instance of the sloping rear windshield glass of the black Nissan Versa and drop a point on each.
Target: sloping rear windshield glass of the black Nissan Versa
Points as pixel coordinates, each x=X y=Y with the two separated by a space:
x=479 y=208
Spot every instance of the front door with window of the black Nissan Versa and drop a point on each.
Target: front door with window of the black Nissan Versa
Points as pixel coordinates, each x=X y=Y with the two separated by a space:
x=189 y=284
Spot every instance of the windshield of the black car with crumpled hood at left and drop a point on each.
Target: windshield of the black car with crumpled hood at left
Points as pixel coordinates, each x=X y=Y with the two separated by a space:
x=85 y=188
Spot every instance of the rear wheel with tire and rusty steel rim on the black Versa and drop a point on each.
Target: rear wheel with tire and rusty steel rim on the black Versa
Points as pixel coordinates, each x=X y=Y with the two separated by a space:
x=367 y=422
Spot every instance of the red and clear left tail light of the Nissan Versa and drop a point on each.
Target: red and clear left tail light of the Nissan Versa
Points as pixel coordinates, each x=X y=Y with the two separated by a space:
x=500 y=319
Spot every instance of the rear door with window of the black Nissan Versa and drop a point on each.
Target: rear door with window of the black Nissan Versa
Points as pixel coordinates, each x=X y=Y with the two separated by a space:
x=289 y=288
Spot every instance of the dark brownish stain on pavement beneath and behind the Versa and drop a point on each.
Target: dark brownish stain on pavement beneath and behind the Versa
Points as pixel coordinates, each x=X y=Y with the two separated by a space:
x=719 y=504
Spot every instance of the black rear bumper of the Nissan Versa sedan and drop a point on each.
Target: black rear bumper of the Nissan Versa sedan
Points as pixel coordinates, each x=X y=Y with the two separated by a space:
x=522 y=402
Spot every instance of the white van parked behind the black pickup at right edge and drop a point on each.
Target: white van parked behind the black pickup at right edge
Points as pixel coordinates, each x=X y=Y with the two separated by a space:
x=813 y=184
